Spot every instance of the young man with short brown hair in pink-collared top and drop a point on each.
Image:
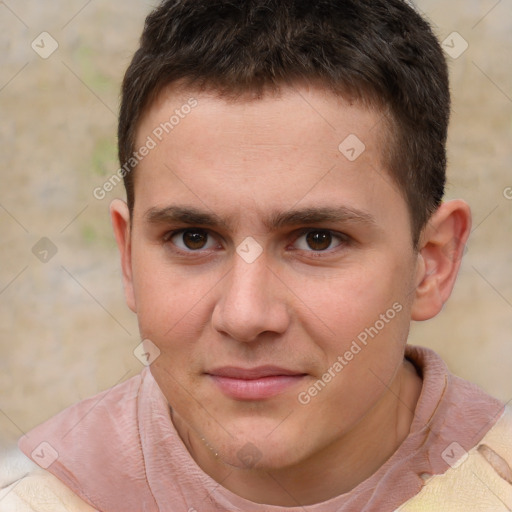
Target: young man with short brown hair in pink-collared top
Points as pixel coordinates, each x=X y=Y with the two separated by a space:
x=284 y=164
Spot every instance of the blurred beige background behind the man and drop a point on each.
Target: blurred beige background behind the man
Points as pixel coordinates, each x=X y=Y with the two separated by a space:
x=65 y=332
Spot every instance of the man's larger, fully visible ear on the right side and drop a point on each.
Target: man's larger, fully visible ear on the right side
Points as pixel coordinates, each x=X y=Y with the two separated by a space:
x=441 y=248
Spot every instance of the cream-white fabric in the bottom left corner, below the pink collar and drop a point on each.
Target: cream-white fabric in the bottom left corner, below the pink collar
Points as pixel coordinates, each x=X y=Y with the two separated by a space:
x=26 y=487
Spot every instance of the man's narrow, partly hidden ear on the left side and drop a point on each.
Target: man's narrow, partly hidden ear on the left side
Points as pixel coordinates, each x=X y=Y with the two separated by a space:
x=120 y=216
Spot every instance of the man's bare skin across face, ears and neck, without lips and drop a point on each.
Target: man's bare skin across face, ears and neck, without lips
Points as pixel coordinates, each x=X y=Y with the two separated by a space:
x=246 y=161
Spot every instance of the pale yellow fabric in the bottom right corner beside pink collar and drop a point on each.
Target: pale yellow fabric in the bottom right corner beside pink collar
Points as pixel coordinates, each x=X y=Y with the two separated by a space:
x=478 y=479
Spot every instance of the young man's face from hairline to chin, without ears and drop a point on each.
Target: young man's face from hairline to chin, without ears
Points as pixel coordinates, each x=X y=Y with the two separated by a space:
x=271 y=268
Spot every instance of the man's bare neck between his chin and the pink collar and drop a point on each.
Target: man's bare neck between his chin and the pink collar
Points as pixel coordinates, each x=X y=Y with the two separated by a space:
x=339 y=467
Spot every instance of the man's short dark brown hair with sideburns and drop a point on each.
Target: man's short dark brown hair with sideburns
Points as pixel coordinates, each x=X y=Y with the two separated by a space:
x=381 y=52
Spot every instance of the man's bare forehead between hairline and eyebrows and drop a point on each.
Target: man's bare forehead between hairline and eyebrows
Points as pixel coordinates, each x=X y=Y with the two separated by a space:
x=303 y=145
